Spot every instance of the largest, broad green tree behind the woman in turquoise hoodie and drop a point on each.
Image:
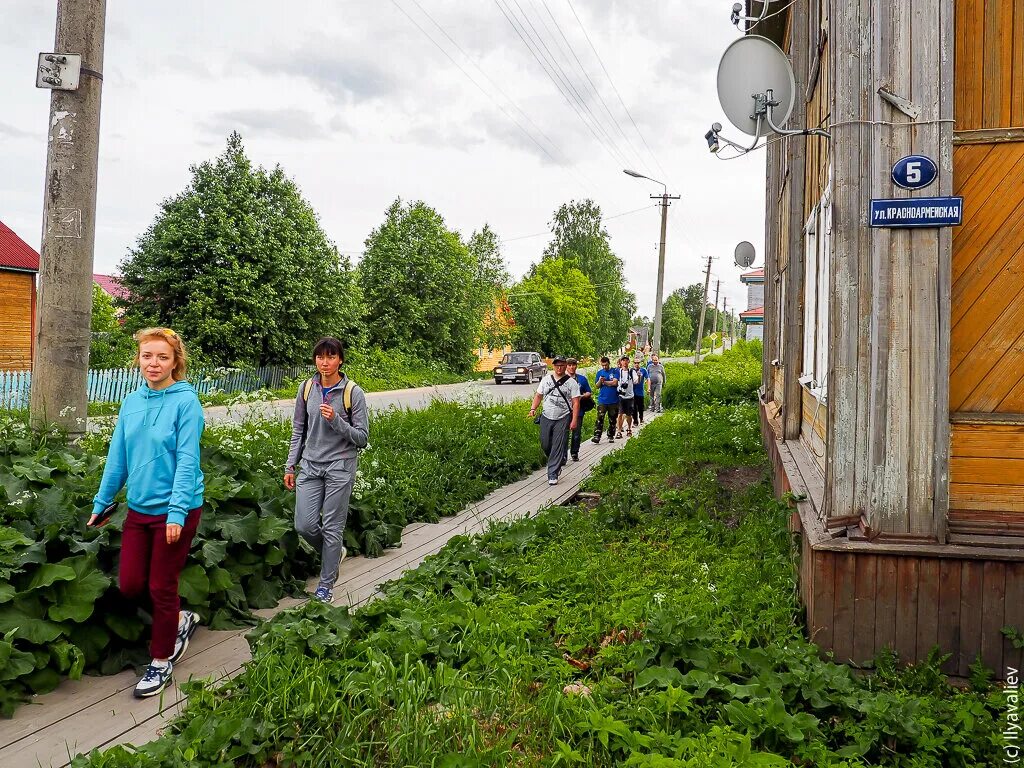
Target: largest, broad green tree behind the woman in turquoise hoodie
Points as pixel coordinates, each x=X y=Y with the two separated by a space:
x=238 y=265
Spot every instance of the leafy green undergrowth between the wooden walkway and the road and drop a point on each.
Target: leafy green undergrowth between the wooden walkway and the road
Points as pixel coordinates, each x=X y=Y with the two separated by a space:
x=61 y=613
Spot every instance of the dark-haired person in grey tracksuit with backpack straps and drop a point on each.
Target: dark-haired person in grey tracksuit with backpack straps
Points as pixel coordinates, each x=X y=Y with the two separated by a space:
x=329 y=428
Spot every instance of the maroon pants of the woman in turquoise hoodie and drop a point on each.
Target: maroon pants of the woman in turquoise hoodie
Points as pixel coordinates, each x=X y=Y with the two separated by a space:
x=148 y=561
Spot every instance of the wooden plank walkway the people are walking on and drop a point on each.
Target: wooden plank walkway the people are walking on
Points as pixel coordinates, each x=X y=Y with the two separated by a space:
x=100 y=712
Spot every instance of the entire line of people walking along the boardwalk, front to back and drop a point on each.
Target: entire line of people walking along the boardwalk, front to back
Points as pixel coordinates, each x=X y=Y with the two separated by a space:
x=155 y=453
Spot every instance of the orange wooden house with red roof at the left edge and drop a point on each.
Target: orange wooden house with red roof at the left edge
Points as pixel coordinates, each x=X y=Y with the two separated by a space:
x=19 y=267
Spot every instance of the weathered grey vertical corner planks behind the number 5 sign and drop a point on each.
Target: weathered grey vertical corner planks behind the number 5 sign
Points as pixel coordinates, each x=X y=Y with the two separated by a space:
x=885 y=325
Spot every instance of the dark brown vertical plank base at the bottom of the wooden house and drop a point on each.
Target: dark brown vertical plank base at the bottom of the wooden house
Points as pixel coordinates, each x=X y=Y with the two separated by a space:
x=859 y=605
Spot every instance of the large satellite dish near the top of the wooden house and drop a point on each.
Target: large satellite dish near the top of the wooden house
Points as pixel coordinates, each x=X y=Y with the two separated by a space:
x=750 y=68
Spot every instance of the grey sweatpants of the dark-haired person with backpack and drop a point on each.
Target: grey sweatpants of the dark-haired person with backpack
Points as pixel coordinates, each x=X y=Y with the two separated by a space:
x=322 y=494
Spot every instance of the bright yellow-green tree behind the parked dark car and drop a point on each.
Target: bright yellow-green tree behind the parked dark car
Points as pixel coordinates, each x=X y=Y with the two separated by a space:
x=556 y=310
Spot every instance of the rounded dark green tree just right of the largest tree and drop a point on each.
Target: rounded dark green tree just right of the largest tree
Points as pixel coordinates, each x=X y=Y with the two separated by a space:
x=420 y=286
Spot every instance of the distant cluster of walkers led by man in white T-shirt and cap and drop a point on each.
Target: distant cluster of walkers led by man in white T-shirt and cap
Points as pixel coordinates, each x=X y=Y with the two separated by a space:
x=565 y=396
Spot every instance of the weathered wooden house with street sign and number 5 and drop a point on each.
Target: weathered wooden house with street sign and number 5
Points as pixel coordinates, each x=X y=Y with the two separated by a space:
x=893 y=381
